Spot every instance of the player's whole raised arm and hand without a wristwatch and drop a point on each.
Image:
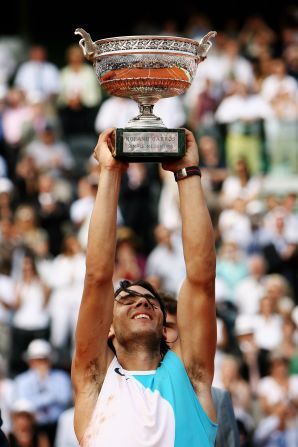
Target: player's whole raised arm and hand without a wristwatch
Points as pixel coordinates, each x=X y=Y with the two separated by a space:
x=96 y=310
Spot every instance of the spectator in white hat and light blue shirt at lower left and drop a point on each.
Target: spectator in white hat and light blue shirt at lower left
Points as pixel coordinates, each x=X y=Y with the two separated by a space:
x=47 y=389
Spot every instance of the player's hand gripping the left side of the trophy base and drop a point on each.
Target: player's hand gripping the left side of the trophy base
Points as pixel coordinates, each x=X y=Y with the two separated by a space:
x=104 y=149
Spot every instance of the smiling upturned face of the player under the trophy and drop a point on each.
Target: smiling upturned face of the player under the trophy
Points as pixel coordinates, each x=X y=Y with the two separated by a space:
x=137 y=316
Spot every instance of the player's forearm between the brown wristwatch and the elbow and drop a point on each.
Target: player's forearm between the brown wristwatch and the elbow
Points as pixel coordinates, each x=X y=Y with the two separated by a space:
x=197 y=230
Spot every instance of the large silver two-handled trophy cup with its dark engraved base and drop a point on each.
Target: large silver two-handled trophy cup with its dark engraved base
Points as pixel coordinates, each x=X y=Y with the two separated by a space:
x=146 y=69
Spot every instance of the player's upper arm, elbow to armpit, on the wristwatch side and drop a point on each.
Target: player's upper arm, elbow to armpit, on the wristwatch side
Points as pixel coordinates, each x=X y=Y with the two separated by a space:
x=196 y=317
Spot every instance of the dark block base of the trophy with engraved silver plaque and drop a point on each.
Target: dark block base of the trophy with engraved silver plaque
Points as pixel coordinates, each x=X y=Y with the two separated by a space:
x=149 y=145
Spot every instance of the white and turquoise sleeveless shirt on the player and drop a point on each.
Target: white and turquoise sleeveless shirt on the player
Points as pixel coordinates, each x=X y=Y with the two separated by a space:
x=149 y=409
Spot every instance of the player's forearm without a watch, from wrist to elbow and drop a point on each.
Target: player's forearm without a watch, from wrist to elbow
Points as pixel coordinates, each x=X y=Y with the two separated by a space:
x=102 y=230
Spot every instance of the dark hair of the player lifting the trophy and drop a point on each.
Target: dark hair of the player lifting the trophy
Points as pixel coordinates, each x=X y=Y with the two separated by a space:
x=124 y=286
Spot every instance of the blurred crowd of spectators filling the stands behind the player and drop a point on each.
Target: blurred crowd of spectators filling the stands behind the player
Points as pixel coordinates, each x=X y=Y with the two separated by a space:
x=243 y=108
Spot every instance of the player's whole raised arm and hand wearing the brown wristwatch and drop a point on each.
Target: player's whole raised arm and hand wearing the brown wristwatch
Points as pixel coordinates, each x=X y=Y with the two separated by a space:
x=196 y=315
